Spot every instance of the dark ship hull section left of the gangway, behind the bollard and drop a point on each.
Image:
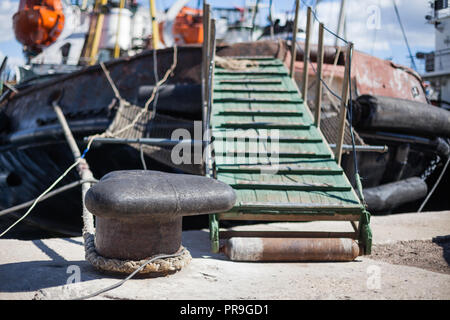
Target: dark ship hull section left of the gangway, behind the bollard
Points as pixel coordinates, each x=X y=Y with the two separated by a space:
x=33 y=150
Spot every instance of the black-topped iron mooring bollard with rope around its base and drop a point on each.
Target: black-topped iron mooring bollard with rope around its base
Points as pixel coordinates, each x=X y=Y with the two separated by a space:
x=139 y=212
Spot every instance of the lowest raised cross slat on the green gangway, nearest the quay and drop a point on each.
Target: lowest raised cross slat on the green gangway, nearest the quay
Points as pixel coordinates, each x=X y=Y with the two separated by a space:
x=267 y=185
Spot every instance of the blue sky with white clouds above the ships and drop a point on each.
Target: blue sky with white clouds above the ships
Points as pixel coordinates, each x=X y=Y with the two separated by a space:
x=371 y=25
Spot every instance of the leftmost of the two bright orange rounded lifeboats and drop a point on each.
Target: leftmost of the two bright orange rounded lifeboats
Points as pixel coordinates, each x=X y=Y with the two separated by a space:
x=38 y=23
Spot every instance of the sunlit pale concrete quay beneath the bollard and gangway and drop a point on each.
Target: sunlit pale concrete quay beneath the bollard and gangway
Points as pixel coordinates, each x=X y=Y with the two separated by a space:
x=405 y=264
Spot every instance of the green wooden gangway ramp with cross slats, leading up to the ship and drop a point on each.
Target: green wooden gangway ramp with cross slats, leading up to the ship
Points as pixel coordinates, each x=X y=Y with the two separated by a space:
x=266 y=146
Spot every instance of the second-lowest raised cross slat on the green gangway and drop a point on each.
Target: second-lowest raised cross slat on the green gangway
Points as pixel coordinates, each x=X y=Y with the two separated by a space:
x=279 y=168
